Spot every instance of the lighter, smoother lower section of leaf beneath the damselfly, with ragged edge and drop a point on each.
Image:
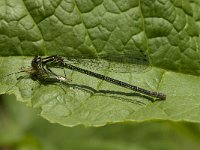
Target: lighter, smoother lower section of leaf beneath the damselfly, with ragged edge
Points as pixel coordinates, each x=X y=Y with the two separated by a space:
x=93 y=102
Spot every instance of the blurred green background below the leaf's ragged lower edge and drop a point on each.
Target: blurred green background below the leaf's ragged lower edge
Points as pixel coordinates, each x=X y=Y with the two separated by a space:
x=21 y=128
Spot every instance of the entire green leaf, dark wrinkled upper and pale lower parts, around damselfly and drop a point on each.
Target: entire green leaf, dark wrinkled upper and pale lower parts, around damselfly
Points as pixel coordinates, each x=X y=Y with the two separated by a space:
x=167 y=31
